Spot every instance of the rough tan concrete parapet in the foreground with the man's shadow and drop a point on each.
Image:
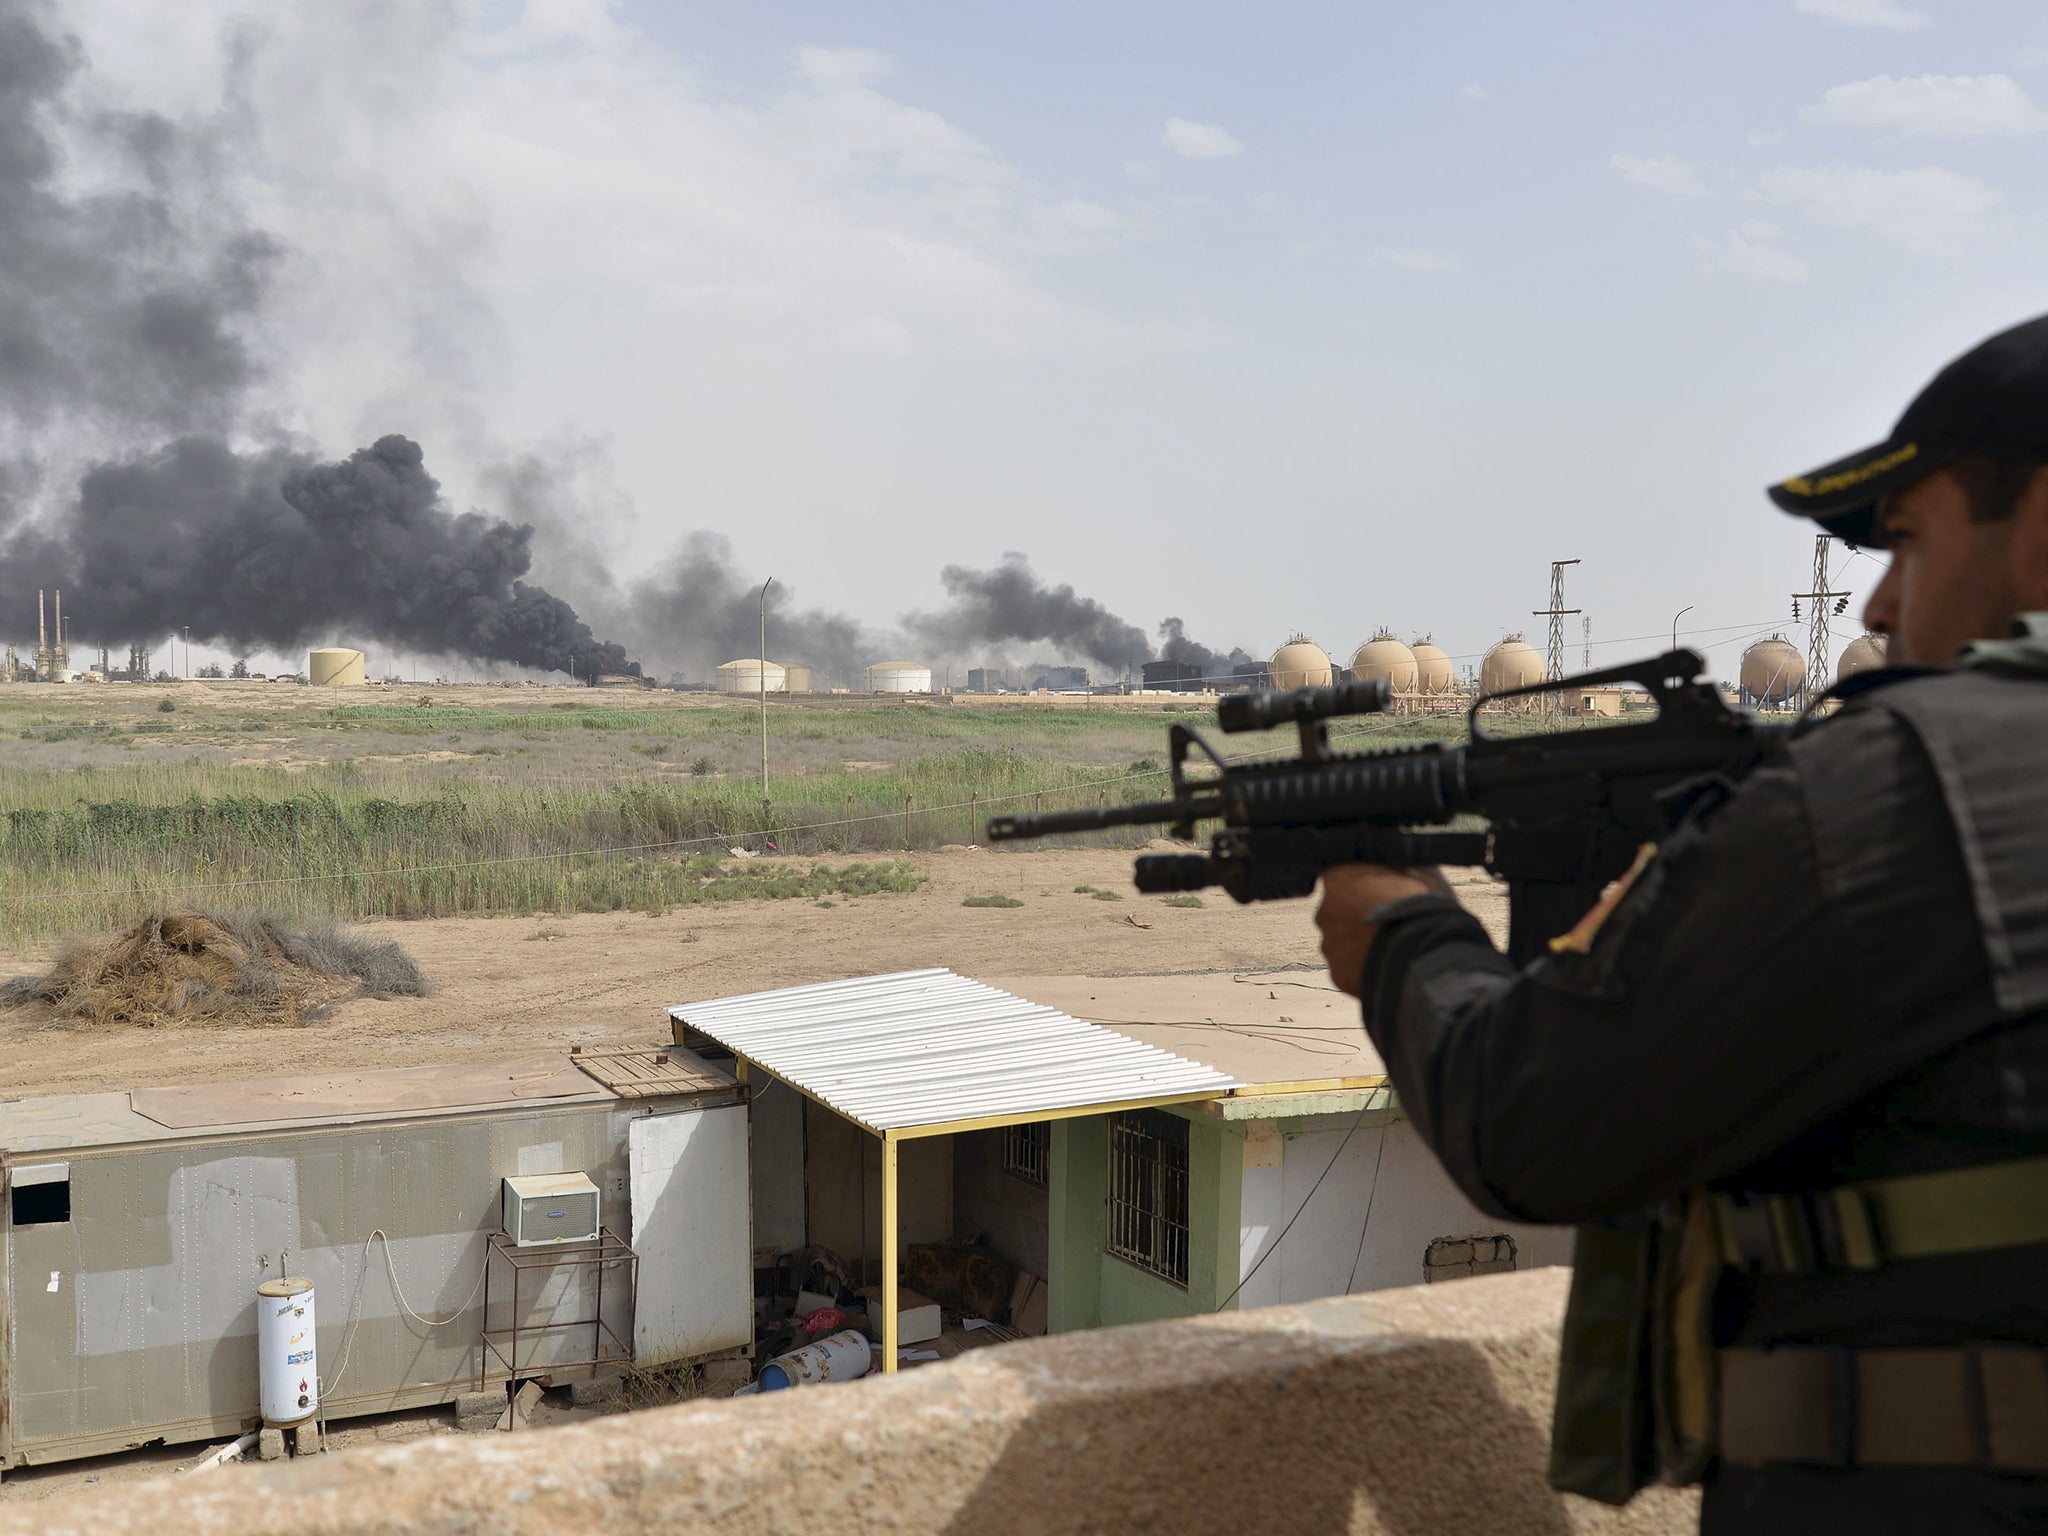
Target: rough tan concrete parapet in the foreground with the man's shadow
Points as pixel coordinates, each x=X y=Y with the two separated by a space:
x=1404 y=1412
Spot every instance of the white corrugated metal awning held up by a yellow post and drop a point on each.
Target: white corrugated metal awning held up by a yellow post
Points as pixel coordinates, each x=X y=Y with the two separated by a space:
x=923 y=1050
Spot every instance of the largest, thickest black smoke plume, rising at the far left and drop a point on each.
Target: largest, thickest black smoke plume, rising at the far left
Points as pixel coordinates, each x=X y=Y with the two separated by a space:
x=126 y=318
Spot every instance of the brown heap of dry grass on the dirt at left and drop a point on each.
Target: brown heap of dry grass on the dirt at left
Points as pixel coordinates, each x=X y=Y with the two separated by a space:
x=216 y=972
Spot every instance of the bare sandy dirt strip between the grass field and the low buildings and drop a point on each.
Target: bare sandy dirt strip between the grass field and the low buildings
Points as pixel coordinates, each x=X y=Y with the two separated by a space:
x=513 y=984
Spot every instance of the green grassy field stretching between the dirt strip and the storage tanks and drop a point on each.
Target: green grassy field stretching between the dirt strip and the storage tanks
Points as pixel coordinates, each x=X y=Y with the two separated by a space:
x=523 y=802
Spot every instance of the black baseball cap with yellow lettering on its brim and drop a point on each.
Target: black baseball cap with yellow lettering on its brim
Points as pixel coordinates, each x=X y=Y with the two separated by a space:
x=1992 y=400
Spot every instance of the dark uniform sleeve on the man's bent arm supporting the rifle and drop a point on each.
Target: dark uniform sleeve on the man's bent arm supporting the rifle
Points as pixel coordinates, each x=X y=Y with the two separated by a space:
x=1783 y=955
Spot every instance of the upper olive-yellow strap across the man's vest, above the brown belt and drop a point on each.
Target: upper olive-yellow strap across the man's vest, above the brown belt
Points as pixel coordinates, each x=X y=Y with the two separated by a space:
x=1908 y=1218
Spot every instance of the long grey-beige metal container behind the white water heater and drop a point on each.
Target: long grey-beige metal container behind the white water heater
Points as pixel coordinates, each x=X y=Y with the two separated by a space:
x=136 y=1228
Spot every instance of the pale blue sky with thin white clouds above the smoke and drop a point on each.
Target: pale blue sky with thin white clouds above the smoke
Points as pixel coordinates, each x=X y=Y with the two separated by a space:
x=1287 y=318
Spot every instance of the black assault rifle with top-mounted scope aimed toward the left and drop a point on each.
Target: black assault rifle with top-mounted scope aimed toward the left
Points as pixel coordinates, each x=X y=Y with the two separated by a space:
x=1566 y=812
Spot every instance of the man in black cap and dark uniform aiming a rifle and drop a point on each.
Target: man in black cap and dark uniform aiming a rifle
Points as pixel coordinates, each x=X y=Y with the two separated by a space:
x=1797 y=1086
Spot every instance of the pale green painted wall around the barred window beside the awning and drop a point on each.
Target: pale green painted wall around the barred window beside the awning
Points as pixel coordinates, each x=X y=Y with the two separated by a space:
x=1089 y=1287
